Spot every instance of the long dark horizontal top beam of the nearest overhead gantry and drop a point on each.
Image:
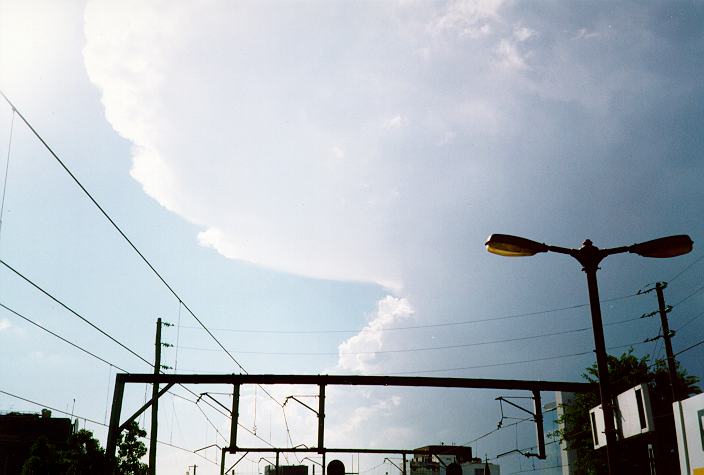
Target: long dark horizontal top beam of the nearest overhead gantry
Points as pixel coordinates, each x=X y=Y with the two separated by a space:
x=355 y=380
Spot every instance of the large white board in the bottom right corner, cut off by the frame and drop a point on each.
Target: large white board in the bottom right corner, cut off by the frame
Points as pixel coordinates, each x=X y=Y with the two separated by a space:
x=689 y=423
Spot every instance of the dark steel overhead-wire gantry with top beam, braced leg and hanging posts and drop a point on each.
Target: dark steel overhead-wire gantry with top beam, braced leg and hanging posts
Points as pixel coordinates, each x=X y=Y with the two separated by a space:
x=322 y=381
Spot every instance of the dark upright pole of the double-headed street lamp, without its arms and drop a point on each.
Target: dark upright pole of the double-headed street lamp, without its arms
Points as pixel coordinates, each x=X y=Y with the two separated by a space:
x=591 y=265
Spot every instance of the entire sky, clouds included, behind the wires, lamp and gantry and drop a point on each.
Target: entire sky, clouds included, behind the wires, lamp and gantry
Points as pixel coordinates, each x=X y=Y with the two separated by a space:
x=333 y=169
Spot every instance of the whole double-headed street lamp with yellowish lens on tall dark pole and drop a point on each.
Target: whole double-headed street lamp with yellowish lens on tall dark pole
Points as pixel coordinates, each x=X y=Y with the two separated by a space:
x=590 y=256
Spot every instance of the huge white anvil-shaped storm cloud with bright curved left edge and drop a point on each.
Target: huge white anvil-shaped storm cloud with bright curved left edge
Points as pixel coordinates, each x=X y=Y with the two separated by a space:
x=373 y=142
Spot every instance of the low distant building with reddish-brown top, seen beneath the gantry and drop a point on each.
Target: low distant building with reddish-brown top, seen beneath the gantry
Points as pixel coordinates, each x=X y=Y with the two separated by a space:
x=435 y=459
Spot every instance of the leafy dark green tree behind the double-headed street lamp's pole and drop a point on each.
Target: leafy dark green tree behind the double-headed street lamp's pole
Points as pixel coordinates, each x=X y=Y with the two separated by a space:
x=626 y=371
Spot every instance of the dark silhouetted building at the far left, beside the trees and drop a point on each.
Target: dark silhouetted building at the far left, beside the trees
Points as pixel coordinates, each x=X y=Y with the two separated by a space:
x=18 y=431
